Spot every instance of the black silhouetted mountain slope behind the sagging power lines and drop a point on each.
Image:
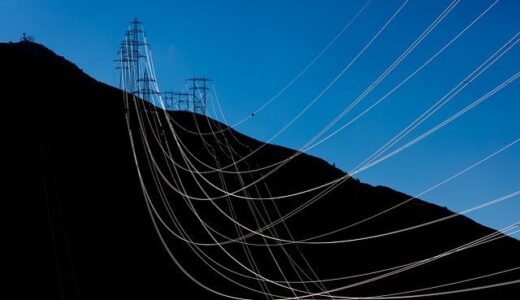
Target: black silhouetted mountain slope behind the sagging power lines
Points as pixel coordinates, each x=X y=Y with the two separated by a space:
x=79 y=226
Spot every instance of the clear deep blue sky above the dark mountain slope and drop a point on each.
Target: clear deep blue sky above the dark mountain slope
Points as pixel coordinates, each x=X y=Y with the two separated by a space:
x=251 y=49
